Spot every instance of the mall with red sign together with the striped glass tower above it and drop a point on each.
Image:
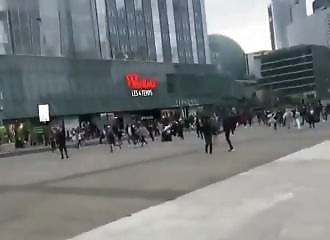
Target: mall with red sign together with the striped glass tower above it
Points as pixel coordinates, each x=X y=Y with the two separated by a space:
x=87 y=57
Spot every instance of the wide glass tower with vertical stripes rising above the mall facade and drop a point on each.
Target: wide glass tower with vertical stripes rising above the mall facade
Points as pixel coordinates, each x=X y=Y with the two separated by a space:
x=147 y=30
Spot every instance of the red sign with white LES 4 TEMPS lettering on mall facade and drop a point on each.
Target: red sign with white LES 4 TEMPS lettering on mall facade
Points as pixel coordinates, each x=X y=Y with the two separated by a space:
x=139 y=86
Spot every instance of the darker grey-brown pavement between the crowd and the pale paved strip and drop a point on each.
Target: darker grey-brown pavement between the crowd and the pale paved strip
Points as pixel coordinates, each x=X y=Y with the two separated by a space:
x=42 y=197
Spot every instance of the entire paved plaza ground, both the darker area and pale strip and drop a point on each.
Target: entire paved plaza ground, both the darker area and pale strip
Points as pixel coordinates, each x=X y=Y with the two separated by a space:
x=42 y=197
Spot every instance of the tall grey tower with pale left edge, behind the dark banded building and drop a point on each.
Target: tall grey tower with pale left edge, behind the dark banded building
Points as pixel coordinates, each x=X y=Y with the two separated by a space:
x=281 y=13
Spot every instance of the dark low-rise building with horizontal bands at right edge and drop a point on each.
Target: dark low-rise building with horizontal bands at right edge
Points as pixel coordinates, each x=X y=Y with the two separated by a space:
x=299 y=70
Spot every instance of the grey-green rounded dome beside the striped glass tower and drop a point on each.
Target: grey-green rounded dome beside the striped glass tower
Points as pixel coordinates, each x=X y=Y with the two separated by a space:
x=228 y=55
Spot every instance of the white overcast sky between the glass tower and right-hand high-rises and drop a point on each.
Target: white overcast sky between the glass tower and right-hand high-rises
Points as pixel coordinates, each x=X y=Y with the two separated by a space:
x=245 y=21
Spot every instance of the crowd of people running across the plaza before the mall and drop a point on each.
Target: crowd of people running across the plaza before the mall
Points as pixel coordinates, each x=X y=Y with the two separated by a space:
x=138 y=132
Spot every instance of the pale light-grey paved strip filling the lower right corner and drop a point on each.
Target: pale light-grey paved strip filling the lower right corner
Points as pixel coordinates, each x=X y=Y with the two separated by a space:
x=284 y=200
